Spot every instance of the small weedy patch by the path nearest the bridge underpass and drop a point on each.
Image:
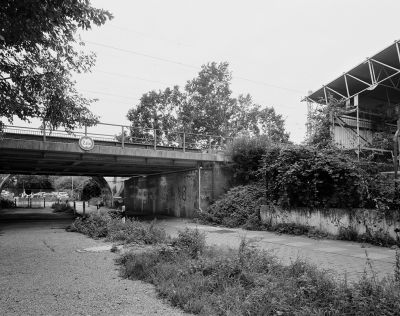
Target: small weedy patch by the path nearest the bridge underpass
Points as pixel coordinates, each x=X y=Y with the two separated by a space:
x=102 y=224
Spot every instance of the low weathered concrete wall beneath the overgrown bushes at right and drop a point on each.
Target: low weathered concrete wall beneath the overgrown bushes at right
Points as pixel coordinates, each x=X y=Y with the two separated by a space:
x=331 y=221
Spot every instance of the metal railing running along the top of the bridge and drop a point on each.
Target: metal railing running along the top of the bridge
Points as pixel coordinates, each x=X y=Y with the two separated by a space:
x=126 y=136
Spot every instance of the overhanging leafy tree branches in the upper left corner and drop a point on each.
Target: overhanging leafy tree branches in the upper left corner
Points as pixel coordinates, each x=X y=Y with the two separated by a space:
x=39 y=52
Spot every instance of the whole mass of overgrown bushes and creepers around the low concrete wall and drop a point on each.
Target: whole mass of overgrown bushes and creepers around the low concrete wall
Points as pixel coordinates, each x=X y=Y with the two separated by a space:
x=291 y=176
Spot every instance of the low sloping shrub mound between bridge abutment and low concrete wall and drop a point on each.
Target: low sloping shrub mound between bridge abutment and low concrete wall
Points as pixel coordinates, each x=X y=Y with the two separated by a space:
x=238 y=207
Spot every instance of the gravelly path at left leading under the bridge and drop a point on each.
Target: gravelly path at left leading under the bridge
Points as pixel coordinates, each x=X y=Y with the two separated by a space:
x=42 y=273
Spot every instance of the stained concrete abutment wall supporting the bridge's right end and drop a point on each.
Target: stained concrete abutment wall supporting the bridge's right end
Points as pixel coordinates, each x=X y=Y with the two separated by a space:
x=175 y=194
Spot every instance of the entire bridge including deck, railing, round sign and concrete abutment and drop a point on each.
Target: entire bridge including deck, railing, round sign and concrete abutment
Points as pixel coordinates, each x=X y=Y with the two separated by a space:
x=170 y=173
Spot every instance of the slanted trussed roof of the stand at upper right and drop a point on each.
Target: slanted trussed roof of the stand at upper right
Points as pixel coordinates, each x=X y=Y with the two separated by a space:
x=375 y=79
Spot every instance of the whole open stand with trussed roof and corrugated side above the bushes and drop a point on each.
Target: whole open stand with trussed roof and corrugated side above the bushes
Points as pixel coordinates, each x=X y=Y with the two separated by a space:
x=368 y=96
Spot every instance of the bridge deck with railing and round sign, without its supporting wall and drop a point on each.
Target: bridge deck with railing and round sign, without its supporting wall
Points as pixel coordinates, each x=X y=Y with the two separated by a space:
x=26 y=150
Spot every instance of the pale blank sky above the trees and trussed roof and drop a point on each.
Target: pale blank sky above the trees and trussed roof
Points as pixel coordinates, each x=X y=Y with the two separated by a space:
x=295 y=45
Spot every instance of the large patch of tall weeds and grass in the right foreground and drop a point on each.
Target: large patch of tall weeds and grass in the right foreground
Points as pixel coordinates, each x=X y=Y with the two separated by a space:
x=251 y=282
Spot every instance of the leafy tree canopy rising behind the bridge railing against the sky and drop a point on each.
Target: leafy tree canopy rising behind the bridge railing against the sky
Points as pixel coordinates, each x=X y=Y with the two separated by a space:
x=206 y=106
